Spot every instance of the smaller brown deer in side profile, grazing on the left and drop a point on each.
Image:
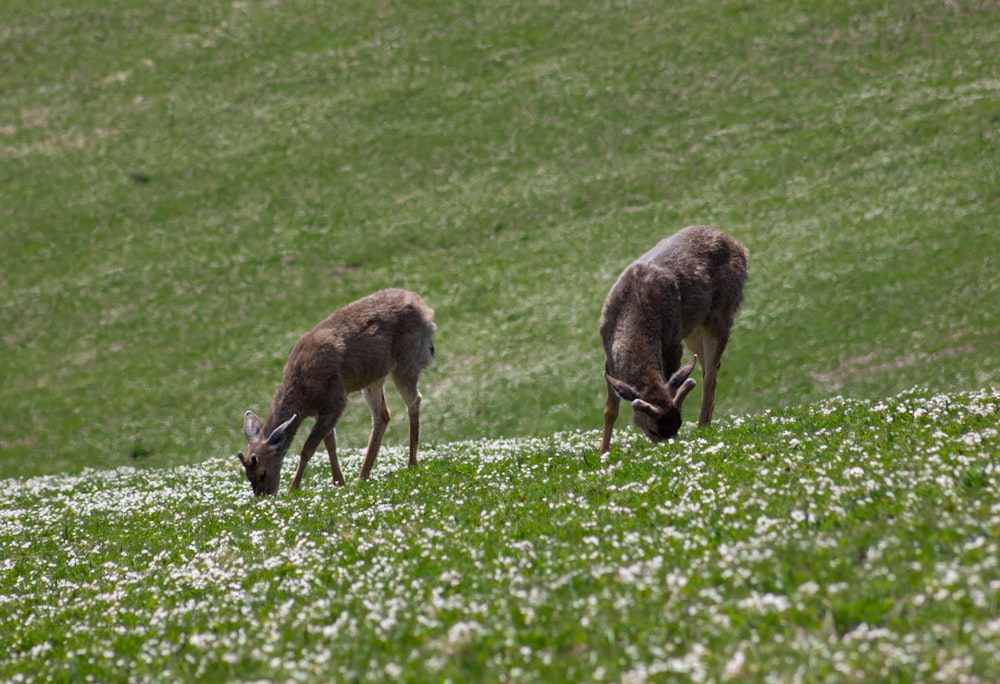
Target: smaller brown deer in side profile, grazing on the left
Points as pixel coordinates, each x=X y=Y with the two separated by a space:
x=386 y=333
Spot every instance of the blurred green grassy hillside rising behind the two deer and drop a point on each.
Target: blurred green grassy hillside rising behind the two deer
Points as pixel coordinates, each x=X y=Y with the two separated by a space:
x=189 y=186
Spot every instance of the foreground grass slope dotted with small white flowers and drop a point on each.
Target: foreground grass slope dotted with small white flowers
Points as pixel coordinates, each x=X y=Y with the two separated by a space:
x=846 y=540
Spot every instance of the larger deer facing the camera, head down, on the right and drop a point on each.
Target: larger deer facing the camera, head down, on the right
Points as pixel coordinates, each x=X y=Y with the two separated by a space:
x=688 y=287
